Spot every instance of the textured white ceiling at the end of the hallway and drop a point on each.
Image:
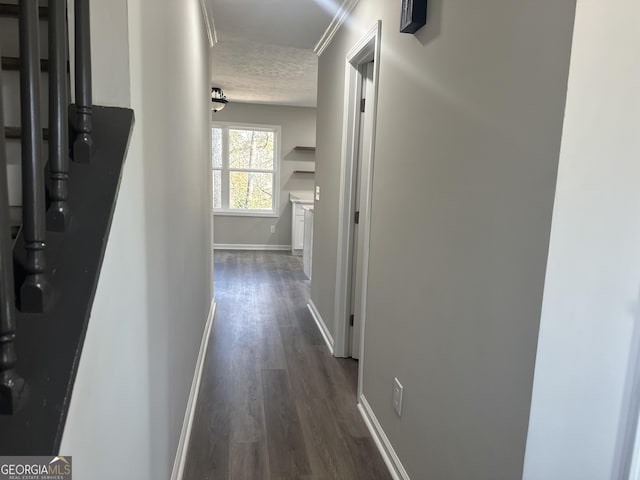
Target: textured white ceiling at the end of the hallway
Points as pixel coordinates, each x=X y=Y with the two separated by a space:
x=265 y=53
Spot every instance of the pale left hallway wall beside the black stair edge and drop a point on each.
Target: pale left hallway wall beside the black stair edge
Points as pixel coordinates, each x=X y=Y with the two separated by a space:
x=155 y=287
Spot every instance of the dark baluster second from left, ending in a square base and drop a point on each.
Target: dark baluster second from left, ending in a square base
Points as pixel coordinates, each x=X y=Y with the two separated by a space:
x=34 y=292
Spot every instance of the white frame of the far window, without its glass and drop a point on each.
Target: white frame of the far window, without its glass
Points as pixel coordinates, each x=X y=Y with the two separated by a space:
x=225 y=170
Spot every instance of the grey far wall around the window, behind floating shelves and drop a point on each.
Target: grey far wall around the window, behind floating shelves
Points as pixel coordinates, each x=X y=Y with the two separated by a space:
x=298 y=128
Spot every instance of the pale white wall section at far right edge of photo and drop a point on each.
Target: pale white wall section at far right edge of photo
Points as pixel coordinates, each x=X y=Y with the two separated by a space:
x=584 y=405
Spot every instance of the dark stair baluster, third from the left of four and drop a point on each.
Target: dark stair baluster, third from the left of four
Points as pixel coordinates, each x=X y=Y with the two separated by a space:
x=58 y=214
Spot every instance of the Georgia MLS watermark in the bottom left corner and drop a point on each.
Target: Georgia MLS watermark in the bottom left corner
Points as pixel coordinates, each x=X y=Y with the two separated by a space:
x=35 y=468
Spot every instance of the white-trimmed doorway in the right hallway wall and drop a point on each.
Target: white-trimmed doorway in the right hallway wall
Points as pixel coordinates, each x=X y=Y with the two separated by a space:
x=361 y=82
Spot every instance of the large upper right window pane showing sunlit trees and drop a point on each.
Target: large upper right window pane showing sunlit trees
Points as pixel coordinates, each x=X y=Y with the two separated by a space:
x=250 y=149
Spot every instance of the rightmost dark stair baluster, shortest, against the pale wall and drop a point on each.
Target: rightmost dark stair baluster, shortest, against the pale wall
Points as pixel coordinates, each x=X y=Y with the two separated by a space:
x=83 y=144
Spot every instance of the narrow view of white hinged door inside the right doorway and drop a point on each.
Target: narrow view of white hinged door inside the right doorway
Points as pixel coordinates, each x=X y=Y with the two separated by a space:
x=362 y=166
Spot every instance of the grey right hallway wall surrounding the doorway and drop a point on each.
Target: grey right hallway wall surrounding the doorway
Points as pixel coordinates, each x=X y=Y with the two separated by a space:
x=468 y=139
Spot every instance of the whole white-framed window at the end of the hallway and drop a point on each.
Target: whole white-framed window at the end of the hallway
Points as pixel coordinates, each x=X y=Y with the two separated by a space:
x=245 y=161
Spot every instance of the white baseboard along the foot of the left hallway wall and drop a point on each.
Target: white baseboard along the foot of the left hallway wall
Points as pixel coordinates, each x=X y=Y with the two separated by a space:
x=185 y=434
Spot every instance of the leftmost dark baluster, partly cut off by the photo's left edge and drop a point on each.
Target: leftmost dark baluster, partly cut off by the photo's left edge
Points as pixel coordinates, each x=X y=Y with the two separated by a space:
x=12 y=386
